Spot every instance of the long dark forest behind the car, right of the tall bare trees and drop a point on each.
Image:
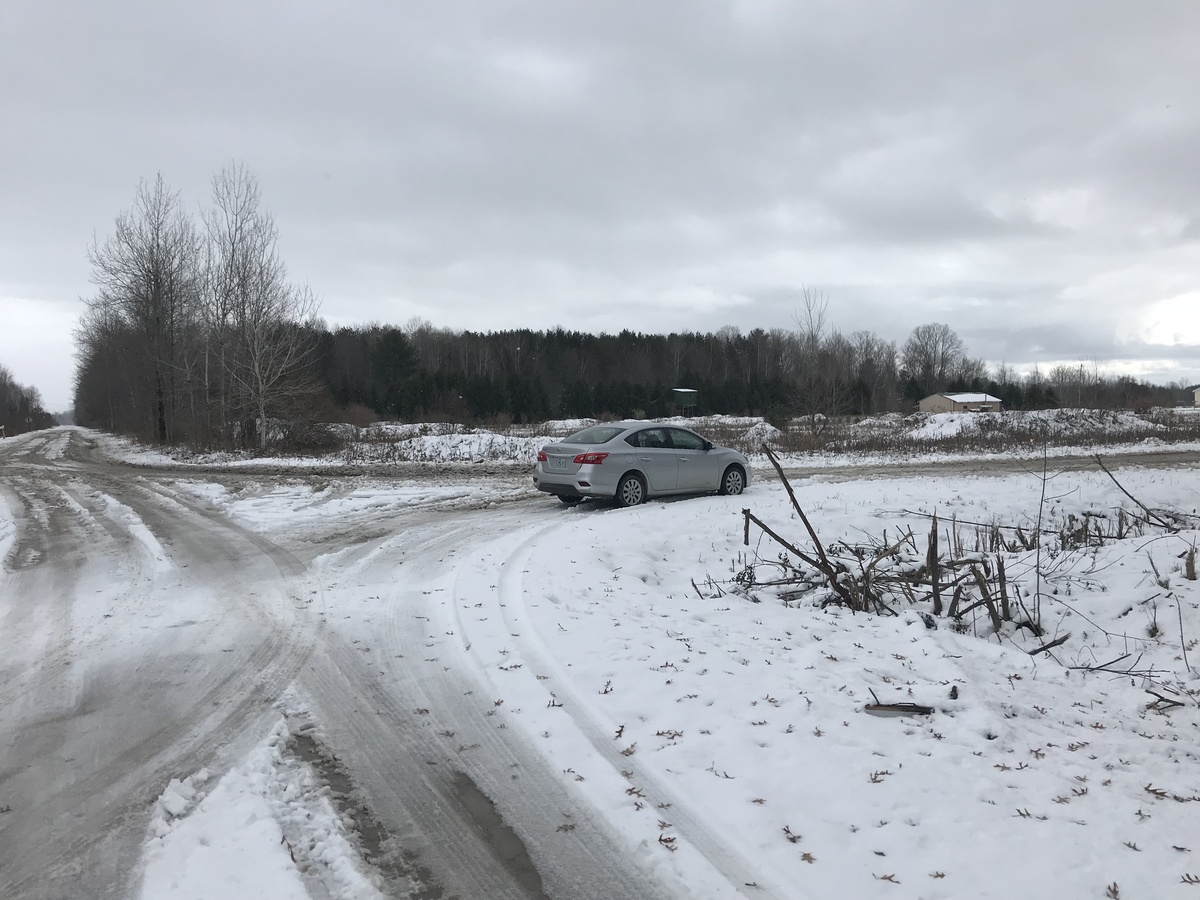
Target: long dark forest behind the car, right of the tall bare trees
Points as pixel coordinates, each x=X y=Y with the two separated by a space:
x=421 y=373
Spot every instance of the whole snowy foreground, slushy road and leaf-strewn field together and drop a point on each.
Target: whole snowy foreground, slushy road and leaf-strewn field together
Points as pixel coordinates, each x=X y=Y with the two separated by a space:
x=245 y=685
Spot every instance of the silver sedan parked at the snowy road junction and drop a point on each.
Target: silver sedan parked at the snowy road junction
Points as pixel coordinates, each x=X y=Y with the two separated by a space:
x=629 y=463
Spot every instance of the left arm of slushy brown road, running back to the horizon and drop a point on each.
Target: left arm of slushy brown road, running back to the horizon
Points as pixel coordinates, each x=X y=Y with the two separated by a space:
x=133 y=651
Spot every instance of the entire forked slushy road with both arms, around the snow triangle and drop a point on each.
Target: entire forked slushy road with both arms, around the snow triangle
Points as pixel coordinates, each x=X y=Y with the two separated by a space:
x=147 y=635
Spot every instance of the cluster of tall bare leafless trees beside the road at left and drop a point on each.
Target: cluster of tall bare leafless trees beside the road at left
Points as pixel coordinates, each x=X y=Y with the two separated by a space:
x=195 y=333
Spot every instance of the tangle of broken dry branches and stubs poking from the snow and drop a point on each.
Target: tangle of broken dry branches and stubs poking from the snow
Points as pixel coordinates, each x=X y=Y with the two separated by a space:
x=976 y=574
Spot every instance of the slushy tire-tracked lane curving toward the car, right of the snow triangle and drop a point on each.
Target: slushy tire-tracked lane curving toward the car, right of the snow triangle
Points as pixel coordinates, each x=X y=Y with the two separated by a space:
x=436 y=711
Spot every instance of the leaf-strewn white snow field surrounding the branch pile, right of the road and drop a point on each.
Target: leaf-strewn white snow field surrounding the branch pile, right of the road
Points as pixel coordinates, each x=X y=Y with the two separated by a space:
x=676 y=710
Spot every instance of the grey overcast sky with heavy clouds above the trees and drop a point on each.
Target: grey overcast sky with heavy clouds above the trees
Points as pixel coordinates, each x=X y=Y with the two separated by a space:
x=1028 y=173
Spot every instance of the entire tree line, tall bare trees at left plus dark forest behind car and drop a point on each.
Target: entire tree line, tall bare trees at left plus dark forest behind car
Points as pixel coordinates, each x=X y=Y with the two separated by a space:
x=196 y=335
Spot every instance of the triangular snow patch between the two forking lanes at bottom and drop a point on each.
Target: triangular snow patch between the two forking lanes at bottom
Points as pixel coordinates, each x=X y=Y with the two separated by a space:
x=265 y=831
